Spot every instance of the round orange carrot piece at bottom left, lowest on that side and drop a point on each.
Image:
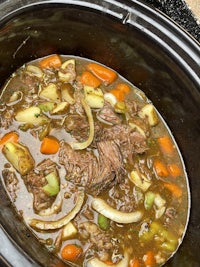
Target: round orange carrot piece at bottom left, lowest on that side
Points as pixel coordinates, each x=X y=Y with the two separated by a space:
x=71 y=252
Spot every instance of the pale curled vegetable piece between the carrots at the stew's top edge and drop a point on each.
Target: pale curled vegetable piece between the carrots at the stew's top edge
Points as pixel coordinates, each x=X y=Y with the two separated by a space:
x=63 y=74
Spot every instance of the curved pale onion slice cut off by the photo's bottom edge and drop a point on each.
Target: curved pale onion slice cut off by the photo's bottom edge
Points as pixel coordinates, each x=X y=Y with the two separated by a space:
x=95 y=262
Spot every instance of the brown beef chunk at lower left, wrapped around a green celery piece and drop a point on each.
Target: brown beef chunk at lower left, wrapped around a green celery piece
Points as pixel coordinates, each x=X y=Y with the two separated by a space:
x=35 y=180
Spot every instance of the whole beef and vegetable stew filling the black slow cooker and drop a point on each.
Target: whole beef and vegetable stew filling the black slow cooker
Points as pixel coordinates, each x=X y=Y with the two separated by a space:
x=90 y=165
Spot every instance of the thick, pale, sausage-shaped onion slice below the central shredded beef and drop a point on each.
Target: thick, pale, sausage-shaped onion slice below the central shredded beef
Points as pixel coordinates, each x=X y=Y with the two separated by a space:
x=102 y=207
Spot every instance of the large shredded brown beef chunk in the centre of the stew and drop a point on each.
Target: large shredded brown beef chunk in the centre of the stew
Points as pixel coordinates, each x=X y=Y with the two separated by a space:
x=93 y=172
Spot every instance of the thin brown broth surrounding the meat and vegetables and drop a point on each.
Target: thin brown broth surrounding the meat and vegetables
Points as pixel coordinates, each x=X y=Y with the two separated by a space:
x=124 y=236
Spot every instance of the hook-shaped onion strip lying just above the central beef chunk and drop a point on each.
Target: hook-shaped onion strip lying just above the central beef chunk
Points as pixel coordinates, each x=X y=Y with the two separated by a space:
x=85 y=144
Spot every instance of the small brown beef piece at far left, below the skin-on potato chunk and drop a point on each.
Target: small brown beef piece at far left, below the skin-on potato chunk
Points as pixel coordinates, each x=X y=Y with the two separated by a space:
x=11 y=182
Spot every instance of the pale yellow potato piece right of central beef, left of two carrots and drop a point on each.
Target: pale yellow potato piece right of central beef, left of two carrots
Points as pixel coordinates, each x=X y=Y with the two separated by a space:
x=140 y=180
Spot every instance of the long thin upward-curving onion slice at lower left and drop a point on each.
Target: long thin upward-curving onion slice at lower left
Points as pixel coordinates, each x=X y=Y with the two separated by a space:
x=51 y=225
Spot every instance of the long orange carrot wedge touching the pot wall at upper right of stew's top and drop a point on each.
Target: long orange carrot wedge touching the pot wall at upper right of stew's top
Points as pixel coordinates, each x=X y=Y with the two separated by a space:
x=106 y=75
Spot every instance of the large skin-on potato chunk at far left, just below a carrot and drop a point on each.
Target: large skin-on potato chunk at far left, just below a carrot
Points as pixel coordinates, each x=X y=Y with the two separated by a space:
x=19 y=156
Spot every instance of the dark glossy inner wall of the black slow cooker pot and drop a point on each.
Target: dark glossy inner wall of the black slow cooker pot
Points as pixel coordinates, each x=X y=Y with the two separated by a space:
x=55 y=28
